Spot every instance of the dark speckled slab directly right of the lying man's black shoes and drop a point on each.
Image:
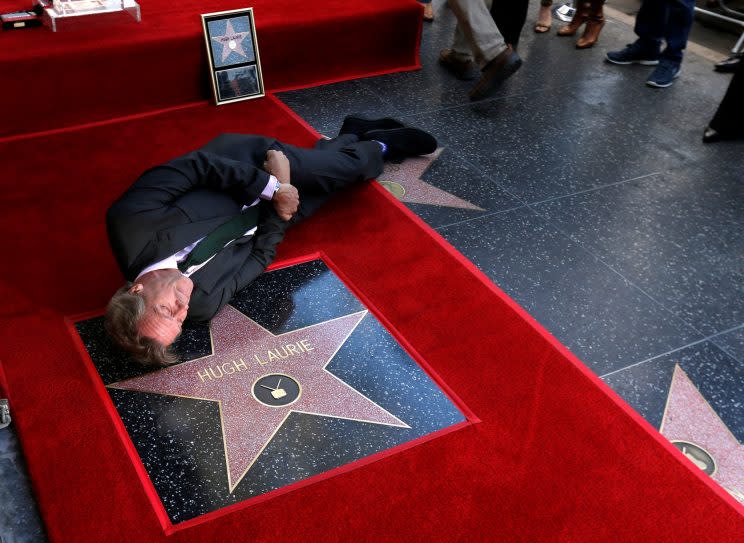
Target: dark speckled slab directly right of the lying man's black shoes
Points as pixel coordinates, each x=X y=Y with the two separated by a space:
x=527 y=150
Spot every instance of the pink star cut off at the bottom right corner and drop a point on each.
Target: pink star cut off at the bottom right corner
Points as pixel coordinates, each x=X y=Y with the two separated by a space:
x=690 y=420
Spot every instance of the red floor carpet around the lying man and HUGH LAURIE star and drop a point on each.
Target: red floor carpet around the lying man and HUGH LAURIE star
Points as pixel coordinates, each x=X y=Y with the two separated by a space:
x=557 y=457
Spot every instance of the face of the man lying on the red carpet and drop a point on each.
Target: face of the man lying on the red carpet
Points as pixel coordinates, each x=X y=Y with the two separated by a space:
x=166 y=294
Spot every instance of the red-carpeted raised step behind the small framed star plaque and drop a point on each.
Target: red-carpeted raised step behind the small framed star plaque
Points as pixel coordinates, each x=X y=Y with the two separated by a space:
x=60 y=79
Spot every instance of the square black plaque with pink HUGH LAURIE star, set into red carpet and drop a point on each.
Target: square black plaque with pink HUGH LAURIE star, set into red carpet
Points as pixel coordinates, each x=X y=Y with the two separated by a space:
x=294 y=381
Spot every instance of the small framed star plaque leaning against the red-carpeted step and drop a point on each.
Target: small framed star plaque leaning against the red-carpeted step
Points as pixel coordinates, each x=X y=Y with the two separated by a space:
x=232 y=50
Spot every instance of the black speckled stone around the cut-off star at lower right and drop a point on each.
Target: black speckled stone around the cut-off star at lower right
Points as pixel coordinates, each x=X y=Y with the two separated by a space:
x=718 y=377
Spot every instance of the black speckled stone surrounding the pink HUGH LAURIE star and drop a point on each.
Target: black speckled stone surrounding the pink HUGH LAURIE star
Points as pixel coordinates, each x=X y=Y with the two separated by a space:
x=180 y=439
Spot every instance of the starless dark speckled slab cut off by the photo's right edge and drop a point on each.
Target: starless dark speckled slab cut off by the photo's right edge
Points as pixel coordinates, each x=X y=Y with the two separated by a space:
x=679 y=236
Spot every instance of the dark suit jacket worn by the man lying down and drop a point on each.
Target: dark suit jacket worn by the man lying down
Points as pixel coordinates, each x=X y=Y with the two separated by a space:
x=172 y=205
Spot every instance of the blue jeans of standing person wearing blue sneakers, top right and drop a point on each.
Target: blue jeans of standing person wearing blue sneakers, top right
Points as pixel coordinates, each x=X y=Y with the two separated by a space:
x=668 y=20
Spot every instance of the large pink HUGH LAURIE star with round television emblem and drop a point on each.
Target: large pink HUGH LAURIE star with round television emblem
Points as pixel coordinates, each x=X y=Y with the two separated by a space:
x=245 y=372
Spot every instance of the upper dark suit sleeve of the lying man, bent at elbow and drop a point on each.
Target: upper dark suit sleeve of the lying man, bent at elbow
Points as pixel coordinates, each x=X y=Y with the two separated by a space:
x=162 y=185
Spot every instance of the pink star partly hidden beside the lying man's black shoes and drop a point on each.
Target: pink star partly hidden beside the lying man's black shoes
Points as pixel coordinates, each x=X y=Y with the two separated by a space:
x=405 y=183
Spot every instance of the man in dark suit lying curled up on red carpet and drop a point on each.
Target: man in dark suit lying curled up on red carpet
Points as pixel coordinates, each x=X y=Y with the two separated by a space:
x=190 y=233
